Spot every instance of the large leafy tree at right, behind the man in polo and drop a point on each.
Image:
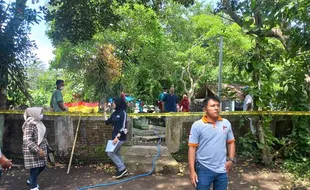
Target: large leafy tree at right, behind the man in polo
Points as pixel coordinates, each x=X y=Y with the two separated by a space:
x=288 y=22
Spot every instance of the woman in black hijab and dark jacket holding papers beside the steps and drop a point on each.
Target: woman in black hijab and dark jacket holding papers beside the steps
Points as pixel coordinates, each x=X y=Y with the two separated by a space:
x=118 y=120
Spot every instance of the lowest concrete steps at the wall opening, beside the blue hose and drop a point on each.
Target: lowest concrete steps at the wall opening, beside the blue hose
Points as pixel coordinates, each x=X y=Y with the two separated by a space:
x=138 y=159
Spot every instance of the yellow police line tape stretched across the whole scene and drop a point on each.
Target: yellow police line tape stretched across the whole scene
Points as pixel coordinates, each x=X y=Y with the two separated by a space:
x=169 y=114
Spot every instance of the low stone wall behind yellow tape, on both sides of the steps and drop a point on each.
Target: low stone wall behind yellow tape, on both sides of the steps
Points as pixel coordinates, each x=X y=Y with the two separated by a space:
x=93 y=134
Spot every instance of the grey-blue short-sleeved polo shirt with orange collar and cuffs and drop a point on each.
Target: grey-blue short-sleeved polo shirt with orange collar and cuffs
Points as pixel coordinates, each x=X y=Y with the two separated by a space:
x=211 y=140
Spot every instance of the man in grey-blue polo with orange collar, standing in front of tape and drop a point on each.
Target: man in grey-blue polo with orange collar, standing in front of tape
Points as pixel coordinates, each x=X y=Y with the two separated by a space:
x=209 y=137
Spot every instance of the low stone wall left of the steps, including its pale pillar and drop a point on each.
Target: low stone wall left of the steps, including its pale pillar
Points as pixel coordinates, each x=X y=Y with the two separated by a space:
x=91 y=141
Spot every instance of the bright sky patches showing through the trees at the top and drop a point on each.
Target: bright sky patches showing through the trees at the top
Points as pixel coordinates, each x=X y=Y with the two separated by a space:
x=38 y=33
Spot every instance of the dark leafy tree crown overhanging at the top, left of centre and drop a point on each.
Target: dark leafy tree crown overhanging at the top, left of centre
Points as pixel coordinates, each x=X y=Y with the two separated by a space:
x=79 y=20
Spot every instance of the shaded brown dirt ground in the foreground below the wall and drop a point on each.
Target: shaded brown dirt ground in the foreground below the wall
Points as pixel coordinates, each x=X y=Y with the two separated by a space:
x=244 y=176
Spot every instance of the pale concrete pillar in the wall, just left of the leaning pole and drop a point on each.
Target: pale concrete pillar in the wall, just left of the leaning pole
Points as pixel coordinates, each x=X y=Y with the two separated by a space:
x=64 y=135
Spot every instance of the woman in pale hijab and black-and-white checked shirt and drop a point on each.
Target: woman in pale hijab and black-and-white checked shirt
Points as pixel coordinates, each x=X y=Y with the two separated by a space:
x=34 y=144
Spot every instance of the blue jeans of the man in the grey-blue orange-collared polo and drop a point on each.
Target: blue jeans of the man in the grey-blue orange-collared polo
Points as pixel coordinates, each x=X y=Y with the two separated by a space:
x=206 y=177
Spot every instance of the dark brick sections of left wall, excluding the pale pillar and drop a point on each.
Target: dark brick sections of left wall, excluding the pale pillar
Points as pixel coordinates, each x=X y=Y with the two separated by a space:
x=92 y=138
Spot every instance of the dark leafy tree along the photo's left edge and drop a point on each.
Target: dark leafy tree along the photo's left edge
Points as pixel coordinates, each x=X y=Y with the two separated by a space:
x=15 y=47
